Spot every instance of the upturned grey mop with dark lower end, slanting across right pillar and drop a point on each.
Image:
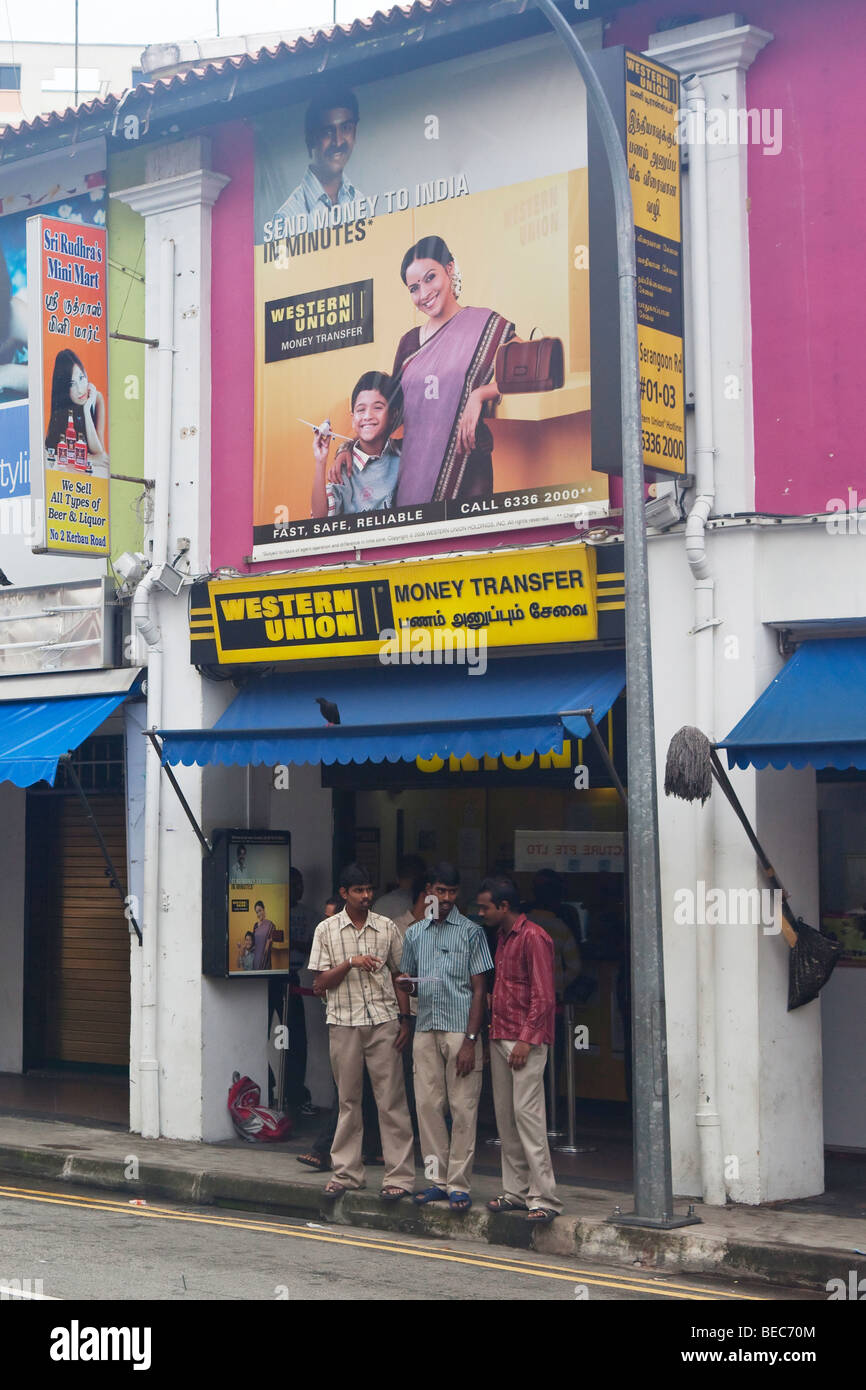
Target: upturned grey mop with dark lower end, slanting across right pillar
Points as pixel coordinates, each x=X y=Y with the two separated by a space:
x=692 y=765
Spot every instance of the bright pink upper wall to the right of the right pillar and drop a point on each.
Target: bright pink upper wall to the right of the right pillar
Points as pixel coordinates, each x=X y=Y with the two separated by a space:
x=808 y=272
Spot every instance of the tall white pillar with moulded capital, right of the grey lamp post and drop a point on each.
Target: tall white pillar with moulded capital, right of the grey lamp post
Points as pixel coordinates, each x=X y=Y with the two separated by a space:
x=764 y=1053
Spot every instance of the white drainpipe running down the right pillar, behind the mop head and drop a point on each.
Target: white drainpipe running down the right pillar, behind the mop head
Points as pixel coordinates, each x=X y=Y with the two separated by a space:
x=707 y=1113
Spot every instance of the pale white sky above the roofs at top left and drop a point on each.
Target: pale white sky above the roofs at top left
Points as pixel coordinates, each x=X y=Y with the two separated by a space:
x=163 y=22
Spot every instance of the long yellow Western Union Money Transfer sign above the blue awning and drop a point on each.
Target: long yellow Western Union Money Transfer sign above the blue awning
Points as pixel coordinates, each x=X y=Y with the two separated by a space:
x=528 y=598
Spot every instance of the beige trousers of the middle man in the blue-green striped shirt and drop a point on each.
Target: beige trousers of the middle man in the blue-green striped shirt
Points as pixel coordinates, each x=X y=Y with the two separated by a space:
x=439 y=1089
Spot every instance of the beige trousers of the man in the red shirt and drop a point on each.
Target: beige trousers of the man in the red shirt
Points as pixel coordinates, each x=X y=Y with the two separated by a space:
x=519 y=1100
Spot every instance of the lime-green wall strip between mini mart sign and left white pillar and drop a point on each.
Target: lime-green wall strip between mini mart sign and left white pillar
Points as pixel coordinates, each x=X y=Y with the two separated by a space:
x=126 y=361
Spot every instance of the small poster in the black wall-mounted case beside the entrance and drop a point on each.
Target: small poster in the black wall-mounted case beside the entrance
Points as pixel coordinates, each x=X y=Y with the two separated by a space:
x=258 y=908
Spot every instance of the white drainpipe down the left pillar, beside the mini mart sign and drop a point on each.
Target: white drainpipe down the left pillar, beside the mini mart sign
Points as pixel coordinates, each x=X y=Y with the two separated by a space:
x=147 y=625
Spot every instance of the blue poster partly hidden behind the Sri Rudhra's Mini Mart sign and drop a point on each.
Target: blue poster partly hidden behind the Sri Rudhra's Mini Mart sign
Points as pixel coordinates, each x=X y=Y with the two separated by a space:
x=80 y=201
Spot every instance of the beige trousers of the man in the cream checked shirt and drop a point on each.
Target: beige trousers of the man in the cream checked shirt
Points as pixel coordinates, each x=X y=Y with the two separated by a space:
x=351 y=1049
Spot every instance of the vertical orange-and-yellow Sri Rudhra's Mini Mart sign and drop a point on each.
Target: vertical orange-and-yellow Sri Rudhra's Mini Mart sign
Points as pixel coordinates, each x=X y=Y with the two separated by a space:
x=67 y=268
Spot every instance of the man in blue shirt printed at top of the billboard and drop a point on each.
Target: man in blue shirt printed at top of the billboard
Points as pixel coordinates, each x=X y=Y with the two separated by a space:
x=330 y=129
